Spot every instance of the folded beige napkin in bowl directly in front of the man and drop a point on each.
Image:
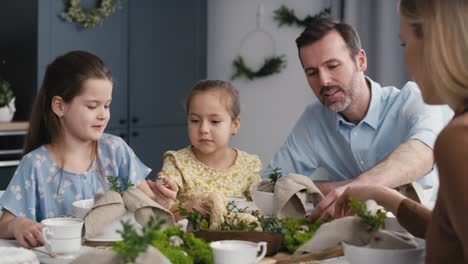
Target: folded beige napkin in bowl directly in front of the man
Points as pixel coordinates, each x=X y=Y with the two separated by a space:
x=290 y=193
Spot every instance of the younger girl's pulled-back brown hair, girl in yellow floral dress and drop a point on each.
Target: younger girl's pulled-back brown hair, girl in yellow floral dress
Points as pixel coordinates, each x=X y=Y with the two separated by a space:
x=232 y=100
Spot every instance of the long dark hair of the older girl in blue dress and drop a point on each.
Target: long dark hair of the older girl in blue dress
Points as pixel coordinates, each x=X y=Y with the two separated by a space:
x=64 y=77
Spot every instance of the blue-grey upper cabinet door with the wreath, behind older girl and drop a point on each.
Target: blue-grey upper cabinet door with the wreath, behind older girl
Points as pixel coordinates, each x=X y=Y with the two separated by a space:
x=109 y=41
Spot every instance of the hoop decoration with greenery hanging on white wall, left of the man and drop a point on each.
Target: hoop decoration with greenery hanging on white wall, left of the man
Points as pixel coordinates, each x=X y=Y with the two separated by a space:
x=271 y=65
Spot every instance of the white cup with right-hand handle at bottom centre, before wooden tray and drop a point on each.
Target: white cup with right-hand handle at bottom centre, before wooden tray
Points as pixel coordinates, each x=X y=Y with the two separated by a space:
x=238 y=251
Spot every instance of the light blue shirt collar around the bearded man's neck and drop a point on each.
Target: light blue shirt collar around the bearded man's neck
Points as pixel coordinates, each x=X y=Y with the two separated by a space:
x=373 y=113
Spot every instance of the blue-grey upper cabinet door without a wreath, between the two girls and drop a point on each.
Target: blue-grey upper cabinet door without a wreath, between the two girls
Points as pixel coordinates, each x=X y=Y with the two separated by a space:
x=167 y=56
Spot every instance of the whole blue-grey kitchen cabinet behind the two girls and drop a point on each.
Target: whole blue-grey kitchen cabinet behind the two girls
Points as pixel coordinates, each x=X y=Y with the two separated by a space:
x=156 y=51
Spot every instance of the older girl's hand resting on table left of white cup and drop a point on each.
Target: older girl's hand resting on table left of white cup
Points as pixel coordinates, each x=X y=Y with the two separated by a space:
x=27 y=232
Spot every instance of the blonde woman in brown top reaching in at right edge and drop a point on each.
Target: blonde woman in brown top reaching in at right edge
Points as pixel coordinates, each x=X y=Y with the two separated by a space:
x=435 y=36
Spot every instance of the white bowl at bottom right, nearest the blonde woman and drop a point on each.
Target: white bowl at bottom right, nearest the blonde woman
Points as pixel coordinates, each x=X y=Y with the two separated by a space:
x=365 y=255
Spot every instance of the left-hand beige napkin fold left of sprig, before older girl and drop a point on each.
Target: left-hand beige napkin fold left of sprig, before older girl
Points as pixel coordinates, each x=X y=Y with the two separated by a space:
x=107 y=207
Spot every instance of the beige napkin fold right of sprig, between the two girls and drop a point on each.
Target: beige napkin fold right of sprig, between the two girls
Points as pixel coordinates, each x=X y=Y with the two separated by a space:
x=143 y=207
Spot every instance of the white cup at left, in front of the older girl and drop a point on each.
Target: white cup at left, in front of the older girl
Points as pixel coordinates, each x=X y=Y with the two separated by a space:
x=62 y=236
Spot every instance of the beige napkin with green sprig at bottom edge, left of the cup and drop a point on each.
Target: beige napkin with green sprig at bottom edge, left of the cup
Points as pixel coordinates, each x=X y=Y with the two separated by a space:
x=151 y=255
